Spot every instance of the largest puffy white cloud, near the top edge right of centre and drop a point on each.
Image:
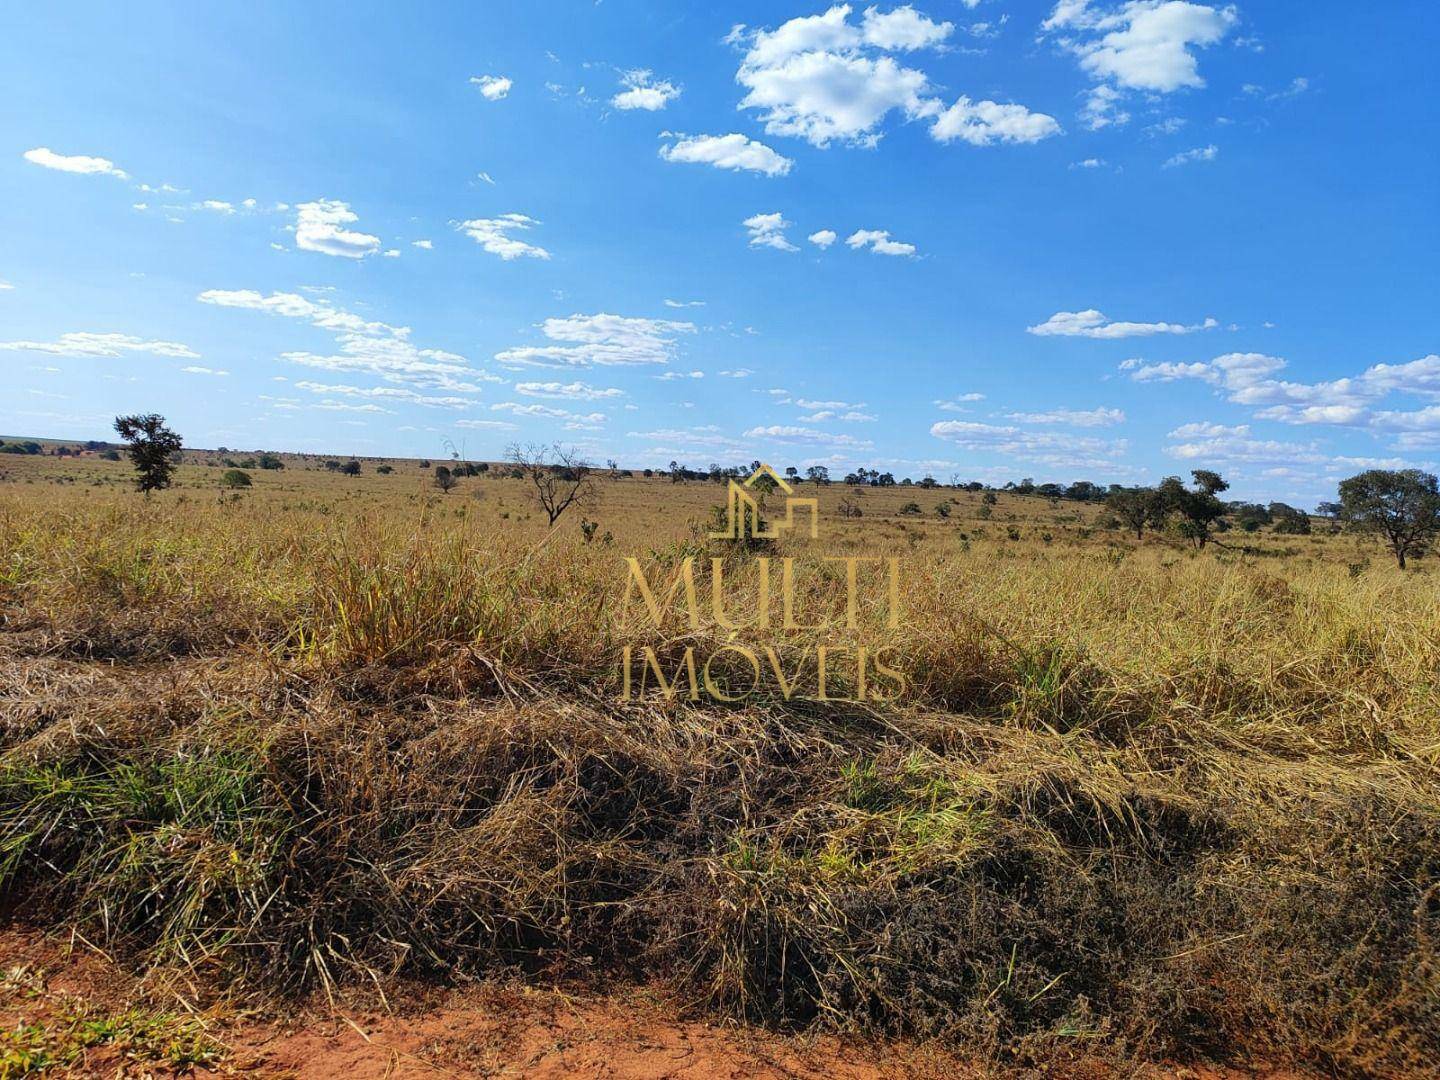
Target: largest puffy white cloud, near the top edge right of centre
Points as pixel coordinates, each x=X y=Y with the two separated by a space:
x=829 y=80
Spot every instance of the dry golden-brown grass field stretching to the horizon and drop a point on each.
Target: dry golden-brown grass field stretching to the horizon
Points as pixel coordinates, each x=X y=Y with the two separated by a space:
x=1138 y=801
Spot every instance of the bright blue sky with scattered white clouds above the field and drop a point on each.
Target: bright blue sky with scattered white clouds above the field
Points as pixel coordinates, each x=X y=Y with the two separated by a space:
x=1000 y=240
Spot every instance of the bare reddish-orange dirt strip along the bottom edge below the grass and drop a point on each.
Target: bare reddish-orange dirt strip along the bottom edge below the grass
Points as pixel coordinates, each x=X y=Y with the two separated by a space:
x=493 y=1032
